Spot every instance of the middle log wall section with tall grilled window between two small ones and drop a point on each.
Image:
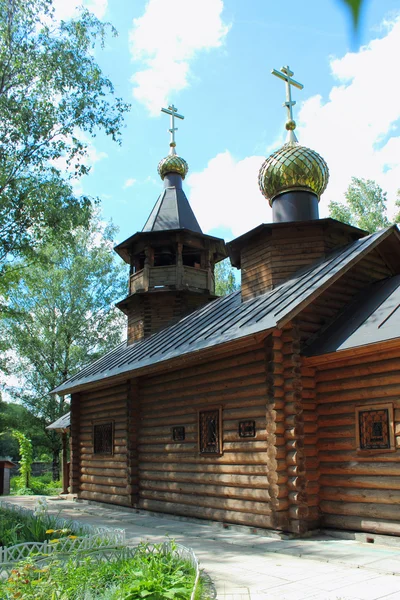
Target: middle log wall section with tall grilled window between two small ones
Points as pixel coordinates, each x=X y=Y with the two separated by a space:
x=233 y=487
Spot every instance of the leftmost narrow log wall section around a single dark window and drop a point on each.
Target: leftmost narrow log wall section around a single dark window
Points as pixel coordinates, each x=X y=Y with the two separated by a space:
x=107 y=478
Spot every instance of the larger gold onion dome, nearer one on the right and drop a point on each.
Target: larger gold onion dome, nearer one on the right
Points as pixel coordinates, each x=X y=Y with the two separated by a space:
x=293 y=167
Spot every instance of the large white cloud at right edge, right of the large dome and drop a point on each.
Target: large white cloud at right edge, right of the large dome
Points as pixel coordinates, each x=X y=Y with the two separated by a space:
x=355 y=130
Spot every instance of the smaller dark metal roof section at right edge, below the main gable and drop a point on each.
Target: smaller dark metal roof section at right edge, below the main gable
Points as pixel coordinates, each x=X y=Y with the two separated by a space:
x=372 y=317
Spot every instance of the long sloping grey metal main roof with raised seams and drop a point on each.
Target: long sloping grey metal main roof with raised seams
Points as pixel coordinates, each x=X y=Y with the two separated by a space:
x=227 y=318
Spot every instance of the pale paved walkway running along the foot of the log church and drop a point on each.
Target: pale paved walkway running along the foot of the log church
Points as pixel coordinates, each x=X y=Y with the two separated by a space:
x=250 y=566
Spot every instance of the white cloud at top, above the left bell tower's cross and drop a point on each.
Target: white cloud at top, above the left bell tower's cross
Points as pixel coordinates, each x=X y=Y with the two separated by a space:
x=166 y=39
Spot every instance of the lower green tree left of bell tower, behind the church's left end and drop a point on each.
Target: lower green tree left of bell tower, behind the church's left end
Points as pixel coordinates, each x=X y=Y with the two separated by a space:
x=60 y=317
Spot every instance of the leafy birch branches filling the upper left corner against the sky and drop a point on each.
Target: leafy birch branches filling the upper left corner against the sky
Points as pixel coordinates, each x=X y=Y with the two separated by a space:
x=53 y=95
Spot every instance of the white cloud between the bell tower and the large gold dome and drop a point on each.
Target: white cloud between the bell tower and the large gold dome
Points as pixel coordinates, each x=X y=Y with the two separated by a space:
x=226 y=194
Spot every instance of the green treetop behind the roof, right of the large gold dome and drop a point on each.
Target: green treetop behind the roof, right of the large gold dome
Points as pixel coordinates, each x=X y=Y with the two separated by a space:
x=365 y=206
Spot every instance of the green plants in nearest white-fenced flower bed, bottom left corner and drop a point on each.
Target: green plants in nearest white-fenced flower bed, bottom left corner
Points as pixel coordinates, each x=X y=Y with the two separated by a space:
x=152 y=574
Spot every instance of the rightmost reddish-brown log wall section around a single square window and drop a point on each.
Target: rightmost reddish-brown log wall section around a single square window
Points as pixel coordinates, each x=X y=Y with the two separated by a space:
x=359 y=490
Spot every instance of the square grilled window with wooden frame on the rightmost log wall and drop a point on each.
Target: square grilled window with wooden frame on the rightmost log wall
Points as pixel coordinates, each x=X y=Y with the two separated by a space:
x=374 y=428
